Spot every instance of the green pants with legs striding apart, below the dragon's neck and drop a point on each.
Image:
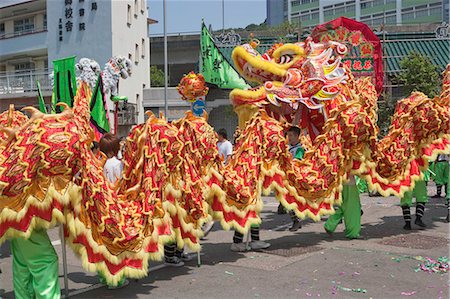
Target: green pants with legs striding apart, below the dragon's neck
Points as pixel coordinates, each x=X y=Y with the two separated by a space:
x=350 y=210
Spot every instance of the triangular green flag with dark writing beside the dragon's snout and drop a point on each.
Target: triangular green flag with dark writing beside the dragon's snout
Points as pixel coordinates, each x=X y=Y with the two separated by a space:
x=214 y=67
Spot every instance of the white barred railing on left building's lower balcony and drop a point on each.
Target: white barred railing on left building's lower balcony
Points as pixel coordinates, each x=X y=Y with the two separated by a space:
x=24 y=81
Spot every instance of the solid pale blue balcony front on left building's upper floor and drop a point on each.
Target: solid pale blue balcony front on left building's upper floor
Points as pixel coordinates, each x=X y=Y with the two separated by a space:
x=23 y=42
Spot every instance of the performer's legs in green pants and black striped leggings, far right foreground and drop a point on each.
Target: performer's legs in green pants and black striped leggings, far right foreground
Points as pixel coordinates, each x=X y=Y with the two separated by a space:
x=420 y=193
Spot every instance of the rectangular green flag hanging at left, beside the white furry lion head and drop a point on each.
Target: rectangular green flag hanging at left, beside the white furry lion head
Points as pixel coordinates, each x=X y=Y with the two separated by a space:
x=64 y=82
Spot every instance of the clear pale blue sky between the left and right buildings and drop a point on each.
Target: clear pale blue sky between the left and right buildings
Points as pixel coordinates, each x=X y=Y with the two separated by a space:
x=186 y=15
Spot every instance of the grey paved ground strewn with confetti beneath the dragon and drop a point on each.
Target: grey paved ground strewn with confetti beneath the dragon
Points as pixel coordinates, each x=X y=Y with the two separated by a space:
x=308 y=263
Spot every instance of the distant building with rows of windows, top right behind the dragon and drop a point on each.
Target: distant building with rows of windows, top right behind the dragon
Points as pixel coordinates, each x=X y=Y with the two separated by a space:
x=310 y=13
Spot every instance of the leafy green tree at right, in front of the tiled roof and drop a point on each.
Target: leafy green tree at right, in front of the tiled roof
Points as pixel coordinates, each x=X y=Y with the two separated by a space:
x=419 y=74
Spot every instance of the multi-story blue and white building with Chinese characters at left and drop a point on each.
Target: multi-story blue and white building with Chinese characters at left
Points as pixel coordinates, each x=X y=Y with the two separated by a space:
x=34 y=33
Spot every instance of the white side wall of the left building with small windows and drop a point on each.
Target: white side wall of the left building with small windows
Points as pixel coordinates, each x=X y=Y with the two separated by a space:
x=130 y=39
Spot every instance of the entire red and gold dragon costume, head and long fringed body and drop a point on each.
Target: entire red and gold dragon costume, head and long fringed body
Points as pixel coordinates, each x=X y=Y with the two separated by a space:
x=173 y=179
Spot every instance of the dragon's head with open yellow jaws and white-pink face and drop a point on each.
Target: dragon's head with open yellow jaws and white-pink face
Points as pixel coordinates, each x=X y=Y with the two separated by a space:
x=299 y=82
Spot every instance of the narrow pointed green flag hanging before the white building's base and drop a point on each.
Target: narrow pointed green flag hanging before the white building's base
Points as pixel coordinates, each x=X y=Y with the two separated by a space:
x=98 y=112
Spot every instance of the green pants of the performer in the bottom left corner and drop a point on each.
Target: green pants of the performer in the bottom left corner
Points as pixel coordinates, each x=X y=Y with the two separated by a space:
x=35 y=267
